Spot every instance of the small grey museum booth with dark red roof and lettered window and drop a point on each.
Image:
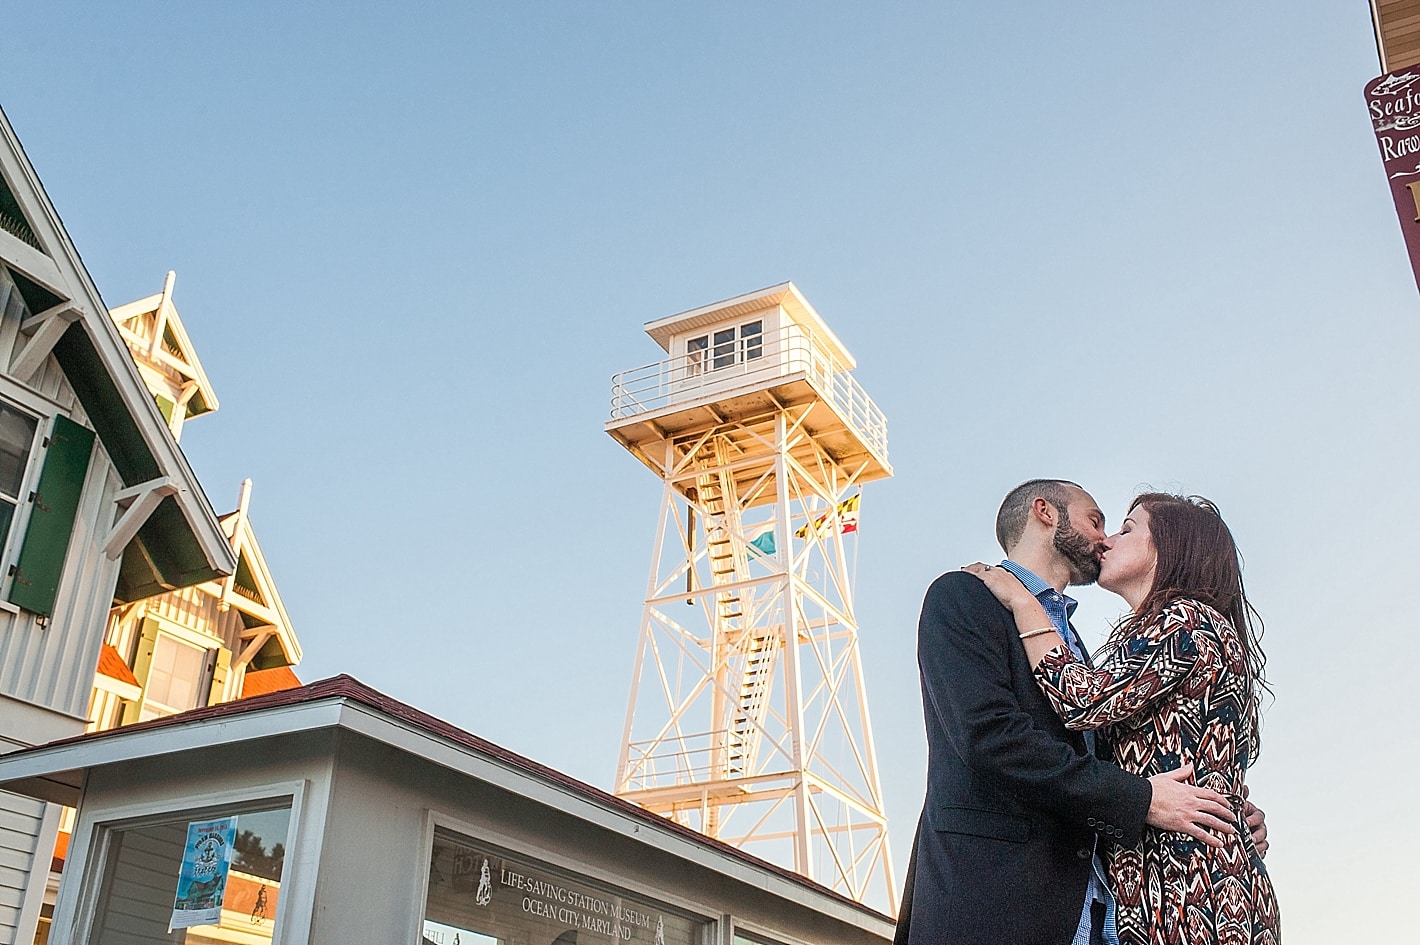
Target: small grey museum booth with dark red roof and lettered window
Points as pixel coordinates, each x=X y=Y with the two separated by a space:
x=367 y=821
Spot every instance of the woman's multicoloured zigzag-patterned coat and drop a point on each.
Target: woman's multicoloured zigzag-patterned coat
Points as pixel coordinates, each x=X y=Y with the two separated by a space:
x=1174 y=693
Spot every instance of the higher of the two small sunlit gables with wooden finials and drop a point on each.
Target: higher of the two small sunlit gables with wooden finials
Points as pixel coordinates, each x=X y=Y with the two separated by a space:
x=165 y=356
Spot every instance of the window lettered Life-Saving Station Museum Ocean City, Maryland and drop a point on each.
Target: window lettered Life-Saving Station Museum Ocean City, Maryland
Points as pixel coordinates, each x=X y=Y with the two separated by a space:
x=482 y=896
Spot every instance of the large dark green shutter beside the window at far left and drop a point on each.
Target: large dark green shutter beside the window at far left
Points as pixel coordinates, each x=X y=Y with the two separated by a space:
x=53 y=508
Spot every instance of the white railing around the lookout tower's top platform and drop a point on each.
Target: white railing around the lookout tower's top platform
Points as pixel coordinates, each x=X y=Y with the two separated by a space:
x=755 y=360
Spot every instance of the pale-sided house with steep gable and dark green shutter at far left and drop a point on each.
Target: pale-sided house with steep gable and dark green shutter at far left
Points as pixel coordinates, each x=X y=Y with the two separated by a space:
x=99 y=507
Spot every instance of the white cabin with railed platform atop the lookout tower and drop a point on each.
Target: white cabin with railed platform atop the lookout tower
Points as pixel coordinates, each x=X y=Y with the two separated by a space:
x=750 y=357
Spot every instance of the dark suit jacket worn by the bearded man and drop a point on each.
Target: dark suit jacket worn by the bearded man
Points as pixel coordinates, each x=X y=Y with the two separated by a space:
x=1016 y=804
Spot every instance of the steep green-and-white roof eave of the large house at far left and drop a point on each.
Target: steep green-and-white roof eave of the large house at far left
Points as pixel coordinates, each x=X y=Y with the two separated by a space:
x=180 y=544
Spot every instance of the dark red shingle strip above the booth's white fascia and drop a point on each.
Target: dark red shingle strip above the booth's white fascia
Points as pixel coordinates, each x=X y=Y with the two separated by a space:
x=346 y=687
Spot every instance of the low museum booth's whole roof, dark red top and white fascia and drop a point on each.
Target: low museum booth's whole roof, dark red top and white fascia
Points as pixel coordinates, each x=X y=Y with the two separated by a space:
x=56 y=772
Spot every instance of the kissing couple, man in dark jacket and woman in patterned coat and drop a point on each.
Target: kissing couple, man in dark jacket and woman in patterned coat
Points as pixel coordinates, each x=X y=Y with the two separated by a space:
x=1078 y=799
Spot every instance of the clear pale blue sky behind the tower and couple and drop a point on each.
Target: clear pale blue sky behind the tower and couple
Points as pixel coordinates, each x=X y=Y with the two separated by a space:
x=1123 y=244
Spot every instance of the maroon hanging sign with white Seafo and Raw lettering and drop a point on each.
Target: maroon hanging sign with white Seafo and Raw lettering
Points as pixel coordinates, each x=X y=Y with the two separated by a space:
x=1394 y=102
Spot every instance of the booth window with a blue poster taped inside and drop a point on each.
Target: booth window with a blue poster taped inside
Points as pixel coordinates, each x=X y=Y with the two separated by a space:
x=232 y=870
